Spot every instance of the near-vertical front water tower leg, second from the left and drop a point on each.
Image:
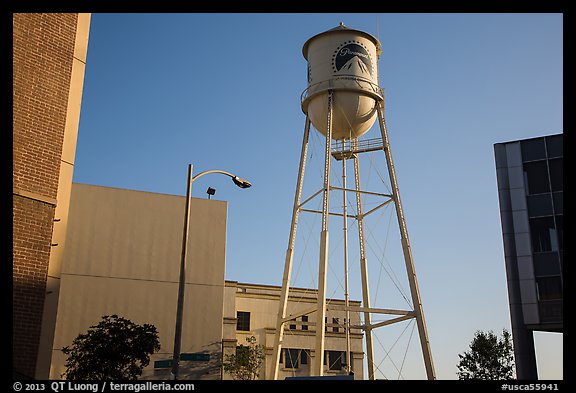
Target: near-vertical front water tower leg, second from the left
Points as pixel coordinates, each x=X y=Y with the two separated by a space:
x=318 y=363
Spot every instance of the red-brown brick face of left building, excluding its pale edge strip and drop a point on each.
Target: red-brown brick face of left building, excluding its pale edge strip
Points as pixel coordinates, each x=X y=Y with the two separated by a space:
x=43 y=48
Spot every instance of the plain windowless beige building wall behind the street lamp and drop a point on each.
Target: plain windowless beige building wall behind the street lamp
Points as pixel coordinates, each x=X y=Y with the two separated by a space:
x=122 y=257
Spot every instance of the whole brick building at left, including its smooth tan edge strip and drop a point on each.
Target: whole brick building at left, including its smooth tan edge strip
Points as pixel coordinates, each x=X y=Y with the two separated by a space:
x=49 y=57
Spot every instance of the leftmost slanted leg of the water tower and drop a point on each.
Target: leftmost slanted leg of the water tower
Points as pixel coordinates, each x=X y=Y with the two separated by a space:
x=277 y=349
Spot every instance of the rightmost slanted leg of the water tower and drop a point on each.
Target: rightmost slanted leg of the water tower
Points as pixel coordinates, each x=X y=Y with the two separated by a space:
x=414 y=289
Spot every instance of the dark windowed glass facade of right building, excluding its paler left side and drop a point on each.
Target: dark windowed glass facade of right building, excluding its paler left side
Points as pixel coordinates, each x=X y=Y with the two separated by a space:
x=542 y=163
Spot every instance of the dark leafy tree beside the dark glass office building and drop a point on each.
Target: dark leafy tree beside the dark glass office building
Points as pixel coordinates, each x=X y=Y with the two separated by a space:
x=489 y=357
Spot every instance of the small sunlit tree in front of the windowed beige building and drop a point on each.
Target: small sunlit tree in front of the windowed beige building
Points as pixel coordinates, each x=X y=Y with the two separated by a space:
x=245 y=364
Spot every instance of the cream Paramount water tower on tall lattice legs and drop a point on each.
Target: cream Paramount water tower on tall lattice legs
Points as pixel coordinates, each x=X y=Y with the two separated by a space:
x=343 y=100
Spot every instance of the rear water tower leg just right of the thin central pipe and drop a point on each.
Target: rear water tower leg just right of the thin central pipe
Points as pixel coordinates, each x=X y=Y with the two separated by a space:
x=364 y=271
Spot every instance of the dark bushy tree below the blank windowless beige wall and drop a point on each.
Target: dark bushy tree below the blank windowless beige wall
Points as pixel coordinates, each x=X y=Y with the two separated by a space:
x=116 y=348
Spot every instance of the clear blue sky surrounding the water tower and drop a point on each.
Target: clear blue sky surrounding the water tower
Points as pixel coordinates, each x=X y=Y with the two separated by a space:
x=222 y=91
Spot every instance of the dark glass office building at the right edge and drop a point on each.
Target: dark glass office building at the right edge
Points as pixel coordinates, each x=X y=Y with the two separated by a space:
x=530 y=190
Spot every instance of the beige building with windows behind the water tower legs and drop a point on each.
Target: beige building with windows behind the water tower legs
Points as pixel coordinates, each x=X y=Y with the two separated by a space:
x=252 y=309
